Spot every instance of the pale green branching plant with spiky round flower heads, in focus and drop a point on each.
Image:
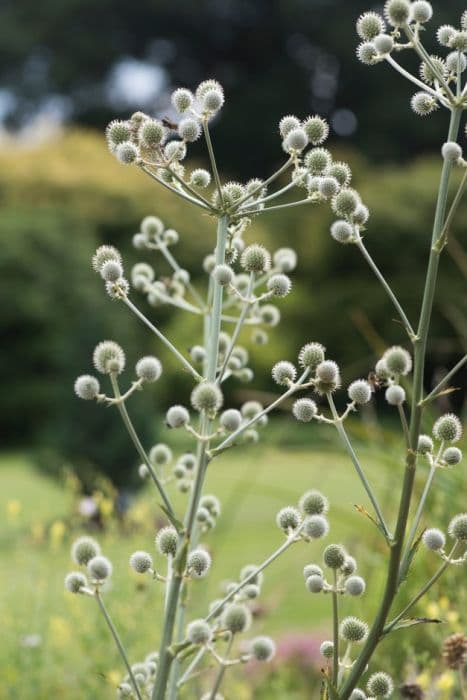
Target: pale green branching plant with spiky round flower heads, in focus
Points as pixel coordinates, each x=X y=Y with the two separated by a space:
x=245 y=284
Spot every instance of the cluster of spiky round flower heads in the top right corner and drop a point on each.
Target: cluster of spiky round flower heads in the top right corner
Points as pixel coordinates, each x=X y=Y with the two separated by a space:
x=382 y=37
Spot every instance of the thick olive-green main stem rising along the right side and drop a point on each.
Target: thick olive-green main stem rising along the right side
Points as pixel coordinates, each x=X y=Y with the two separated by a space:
x=420 y=343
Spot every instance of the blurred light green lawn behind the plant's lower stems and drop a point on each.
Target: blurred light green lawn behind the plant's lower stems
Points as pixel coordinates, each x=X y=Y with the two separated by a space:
x=76 y=655
